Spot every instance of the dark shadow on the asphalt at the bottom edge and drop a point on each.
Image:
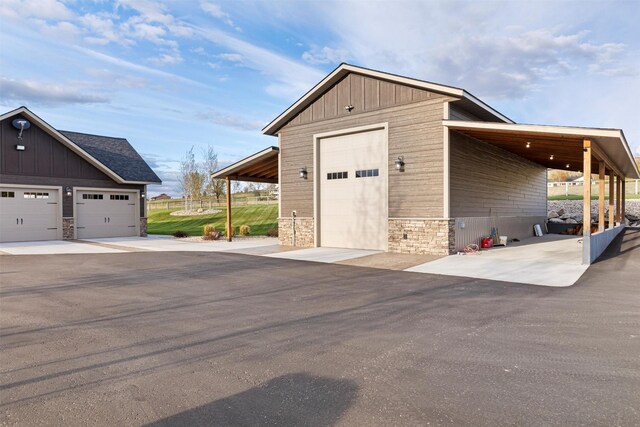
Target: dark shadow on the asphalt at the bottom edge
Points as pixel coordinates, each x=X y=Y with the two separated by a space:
x=293 y=399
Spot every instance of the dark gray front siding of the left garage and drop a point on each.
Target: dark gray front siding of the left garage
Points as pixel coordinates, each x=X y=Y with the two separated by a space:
x=46 y=161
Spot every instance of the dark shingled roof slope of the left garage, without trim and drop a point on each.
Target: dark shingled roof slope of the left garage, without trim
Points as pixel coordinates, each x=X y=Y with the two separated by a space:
x=116 y=154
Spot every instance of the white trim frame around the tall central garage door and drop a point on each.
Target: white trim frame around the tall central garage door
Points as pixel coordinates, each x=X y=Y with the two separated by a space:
x=316 y=172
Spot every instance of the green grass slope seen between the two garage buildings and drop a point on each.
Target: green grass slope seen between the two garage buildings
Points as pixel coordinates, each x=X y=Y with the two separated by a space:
x=260 y=218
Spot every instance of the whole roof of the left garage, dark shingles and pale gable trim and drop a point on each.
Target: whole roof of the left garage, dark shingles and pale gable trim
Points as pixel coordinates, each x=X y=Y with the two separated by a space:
x=113 y=156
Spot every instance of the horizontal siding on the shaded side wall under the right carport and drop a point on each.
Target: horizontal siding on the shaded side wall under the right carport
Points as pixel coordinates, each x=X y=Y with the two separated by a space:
x=488 y=181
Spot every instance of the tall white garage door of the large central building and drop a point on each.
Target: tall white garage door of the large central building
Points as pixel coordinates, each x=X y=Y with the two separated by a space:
x=353 y=191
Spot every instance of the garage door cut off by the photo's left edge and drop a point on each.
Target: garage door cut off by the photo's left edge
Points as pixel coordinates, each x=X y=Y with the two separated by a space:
x=28 y=214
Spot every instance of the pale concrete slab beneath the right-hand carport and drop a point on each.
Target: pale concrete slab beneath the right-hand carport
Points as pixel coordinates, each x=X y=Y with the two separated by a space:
x=552 y=260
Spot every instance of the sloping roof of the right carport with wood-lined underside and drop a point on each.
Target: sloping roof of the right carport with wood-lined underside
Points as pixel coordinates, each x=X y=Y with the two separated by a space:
x=555 y=147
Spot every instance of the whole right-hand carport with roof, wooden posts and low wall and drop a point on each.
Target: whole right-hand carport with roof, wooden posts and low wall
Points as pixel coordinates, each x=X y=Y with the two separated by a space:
x=603 y=152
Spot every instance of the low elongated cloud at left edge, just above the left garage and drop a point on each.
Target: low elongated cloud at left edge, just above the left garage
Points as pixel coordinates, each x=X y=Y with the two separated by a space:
x=36 y=92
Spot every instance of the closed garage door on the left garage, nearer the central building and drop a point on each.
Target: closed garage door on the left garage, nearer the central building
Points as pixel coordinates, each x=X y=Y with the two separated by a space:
x=102 y=213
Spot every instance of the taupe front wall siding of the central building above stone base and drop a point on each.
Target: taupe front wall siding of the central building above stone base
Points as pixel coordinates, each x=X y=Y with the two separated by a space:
x=414 y=120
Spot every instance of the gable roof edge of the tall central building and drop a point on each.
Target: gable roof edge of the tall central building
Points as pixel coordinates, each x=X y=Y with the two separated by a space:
x=464 y=97
